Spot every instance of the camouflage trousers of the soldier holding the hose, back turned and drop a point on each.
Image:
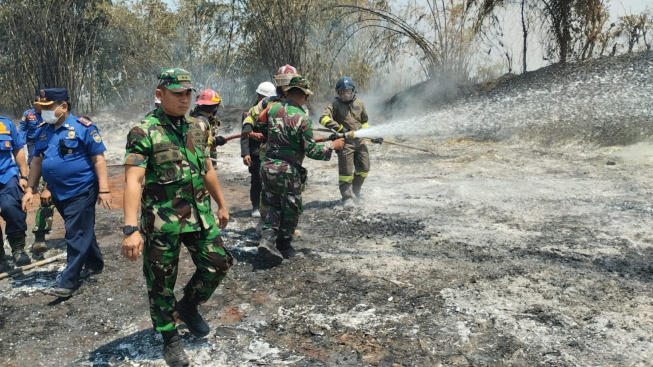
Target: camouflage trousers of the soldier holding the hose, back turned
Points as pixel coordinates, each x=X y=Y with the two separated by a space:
x=284 y=193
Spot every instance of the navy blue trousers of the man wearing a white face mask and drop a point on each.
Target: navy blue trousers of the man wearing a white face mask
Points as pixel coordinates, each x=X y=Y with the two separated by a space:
x=78 y=213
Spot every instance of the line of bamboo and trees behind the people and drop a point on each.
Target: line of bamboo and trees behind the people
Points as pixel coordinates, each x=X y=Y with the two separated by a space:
x=107 y=53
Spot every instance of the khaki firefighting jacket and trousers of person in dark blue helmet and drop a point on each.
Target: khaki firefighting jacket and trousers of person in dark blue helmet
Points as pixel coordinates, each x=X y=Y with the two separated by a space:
x=354 y=158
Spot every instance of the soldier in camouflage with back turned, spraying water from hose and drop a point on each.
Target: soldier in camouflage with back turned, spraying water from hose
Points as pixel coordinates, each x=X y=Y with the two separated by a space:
x=290 y=139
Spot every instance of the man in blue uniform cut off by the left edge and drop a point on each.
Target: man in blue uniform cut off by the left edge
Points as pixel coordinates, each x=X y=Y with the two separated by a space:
x=13 y=180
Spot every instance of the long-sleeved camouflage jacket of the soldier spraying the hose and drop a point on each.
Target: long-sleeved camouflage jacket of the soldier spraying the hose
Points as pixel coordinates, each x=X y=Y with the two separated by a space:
x=290 y=135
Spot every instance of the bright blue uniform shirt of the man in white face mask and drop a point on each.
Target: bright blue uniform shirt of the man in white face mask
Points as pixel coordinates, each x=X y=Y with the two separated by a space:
x=67 y=150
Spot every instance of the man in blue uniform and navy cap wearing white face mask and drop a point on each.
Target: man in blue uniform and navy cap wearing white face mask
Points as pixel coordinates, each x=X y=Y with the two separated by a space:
x=70 y=154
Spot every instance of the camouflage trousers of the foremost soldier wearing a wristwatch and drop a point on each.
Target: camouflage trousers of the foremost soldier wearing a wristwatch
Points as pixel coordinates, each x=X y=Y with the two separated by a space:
x=160 y=264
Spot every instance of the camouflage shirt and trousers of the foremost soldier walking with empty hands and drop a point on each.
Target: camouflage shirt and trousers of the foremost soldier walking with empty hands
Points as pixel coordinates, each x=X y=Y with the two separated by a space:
x=175 y=209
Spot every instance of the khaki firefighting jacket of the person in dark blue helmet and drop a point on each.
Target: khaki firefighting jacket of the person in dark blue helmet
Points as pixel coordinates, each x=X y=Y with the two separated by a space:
x=351 y=115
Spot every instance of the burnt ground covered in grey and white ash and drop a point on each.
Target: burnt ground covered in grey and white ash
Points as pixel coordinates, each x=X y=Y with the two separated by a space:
x=516 y=248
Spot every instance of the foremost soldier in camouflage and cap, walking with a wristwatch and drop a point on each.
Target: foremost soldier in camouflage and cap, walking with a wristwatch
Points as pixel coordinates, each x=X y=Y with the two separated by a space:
x=169 y=150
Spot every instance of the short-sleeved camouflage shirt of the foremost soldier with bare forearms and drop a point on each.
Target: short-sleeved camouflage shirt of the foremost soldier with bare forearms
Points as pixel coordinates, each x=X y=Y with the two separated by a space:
x=175 y=158
